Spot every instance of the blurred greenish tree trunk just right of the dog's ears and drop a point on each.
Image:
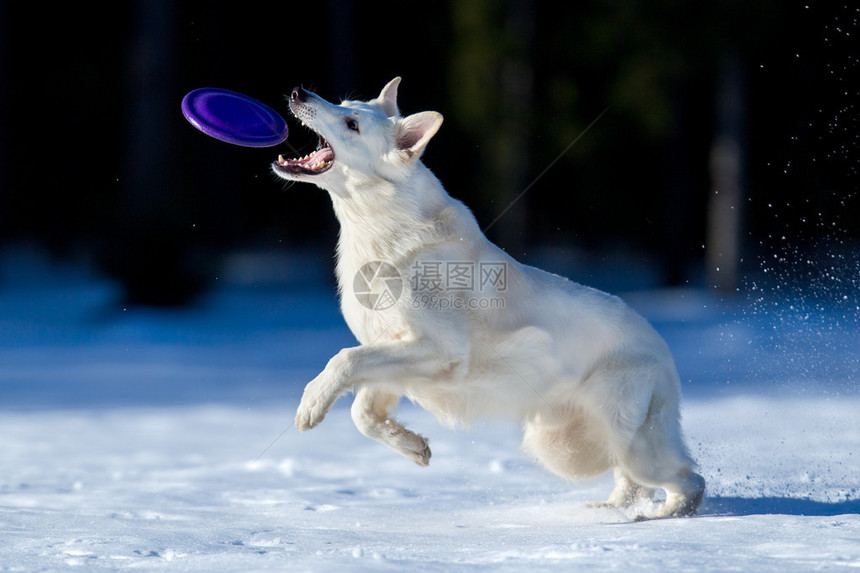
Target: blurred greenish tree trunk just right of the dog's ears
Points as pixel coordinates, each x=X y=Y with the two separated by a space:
x=491 y=88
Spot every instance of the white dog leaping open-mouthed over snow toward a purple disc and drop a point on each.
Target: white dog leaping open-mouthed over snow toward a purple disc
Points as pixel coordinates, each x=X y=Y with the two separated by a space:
x=473 y=332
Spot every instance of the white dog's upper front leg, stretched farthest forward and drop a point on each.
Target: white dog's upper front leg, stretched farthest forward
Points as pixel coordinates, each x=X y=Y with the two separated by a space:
x=386 y=364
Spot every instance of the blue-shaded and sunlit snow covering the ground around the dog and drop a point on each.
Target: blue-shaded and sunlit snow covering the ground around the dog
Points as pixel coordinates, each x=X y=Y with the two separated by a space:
x=162 y=440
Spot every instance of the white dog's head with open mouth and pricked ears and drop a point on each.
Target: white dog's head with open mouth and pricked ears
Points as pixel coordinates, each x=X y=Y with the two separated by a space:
x=358 y=141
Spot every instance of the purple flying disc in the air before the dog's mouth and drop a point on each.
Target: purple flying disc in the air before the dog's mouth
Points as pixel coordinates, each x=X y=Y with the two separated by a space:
x=234 y=118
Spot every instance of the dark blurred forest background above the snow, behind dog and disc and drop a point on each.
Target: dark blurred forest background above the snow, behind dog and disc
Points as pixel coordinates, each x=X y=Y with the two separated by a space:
x=727 y=125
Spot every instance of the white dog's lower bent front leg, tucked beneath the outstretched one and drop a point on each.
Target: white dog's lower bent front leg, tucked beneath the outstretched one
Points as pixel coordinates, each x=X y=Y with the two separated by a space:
x=371 y=413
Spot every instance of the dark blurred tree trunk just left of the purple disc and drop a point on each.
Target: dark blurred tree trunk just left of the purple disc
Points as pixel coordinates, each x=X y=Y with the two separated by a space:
x=151 y=253
